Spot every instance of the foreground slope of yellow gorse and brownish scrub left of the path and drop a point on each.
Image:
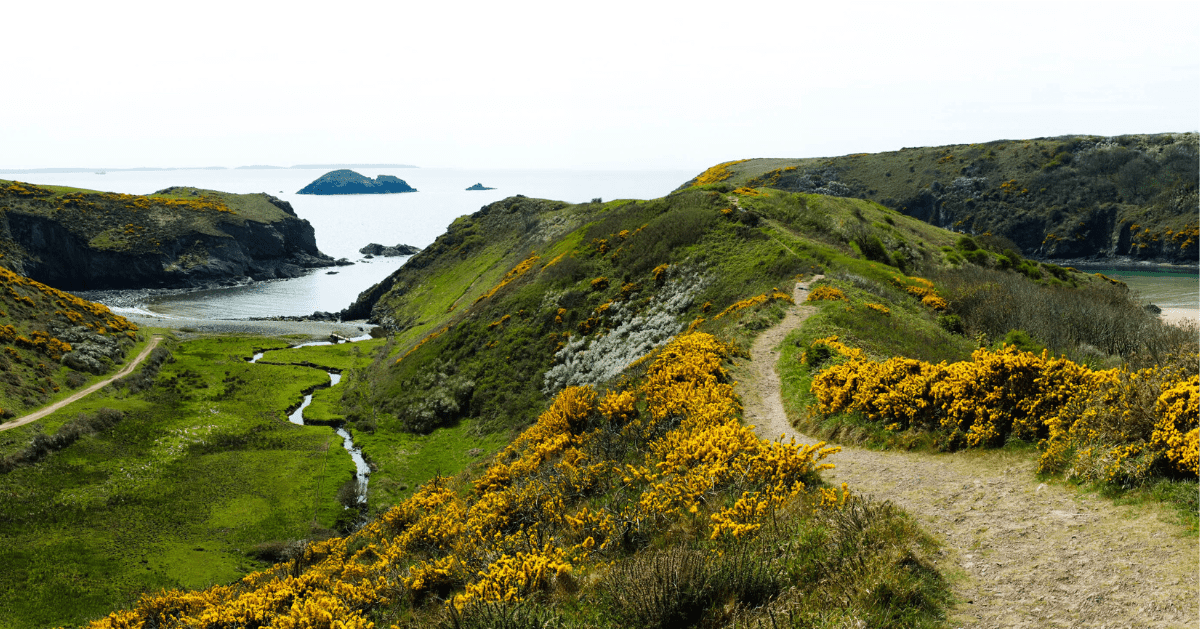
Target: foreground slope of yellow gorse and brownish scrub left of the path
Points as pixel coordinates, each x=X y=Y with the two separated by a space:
x=649 y=505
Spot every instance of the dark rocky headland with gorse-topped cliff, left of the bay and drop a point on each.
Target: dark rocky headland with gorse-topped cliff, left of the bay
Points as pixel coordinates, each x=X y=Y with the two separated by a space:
x=176 y=238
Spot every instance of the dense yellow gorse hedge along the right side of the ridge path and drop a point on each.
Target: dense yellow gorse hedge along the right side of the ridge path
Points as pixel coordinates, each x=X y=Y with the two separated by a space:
x=1114 y=425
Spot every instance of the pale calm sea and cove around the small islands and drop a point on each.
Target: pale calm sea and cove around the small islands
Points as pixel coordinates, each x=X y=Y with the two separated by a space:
x=345 y=224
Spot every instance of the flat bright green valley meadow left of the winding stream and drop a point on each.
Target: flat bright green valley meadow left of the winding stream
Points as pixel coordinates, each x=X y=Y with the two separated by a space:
x=202 y=470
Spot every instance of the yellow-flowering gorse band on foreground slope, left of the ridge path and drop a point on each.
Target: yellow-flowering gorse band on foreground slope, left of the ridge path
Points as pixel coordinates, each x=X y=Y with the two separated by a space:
x=571 y=495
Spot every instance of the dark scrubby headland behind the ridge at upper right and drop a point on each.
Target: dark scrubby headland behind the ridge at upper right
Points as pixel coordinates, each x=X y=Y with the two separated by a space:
x=1073 y=197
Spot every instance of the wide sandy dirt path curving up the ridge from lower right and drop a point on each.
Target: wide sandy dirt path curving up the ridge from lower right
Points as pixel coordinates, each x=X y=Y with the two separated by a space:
x=1029 y=555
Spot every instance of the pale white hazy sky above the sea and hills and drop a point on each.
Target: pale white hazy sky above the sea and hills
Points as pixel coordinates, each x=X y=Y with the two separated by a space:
x=622 y=86
